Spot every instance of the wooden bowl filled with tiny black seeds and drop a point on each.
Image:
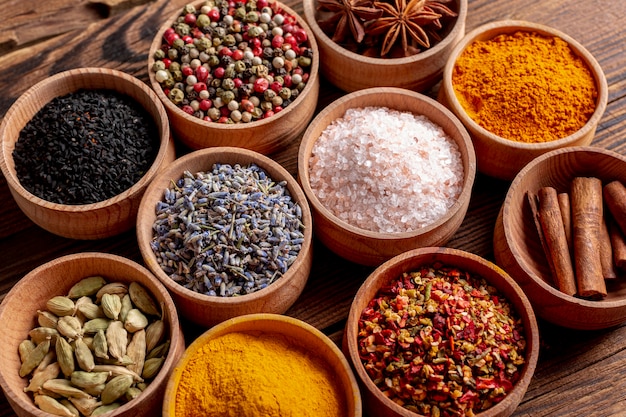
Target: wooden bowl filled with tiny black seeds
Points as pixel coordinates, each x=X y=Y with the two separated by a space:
x=79 y=149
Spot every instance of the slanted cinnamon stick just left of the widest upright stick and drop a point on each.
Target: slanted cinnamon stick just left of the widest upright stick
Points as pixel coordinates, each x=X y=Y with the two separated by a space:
x=556 y=240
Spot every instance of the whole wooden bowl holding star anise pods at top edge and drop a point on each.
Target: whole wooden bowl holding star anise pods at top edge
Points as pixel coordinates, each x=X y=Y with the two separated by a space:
x=385 y=43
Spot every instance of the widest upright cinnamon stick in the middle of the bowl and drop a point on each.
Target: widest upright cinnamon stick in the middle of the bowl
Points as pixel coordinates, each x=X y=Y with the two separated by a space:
x=587 y=203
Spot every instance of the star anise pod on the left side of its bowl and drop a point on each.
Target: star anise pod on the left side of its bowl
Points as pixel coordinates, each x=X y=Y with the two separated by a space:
x=348 y=16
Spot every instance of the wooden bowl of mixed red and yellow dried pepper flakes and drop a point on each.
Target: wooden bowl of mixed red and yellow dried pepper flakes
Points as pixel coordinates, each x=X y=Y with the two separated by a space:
x=453 y=324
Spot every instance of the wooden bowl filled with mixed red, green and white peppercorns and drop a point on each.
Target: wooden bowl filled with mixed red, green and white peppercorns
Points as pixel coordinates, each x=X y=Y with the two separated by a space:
x=236 y=74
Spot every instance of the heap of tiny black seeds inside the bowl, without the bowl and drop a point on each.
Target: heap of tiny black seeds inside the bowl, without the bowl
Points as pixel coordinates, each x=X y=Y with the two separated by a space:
x=85 y=147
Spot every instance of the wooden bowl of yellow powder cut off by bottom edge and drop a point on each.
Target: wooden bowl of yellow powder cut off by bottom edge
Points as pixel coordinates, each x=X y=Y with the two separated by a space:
x=263 y=365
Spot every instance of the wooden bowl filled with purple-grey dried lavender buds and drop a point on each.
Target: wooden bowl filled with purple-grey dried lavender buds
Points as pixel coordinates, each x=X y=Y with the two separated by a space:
x=229 y=232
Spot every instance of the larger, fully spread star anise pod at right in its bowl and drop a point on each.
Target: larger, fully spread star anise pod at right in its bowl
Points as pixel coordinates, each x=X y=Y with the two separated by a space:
x=408 y=21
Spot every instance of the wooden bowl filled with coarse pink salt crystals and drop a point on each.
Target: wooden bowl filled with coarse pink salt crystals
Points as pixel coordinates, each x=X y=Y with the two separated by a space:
x=385 y=170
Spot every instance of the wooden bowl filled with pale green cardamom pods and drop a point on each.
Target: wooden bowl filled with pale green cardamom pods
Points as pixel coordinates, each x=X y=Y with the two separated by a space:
x=87 y=334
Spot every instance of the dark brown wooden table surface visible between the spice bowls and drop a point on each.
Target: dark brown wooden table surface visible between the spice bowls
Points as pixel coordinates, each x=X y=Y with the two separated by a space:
x=580 y=373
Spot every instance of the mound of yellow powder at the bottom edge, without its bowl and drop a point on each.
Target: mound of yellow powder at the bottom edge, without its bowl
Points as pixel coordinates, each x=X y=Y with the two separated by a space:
x=256 y=375
